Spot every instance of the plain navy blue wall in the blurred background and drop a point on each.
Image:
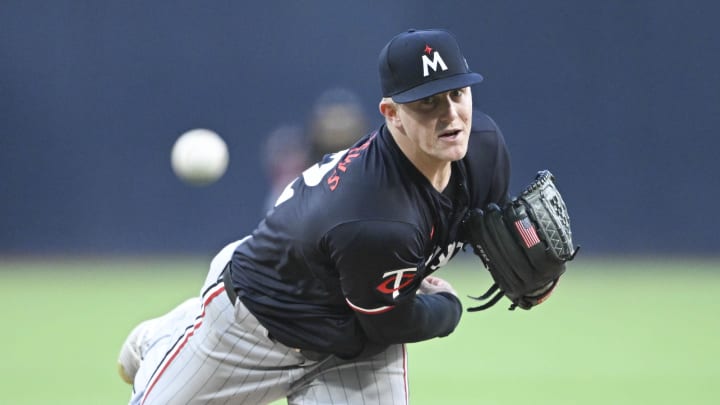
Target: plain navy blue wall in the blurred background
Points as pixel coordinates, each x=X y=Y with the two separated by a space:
x=619 y=99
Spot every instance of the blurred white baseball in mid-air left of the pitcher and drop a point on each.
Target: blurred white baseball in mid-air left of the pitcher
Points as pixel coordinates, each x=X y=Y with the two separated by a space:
x=199 y=157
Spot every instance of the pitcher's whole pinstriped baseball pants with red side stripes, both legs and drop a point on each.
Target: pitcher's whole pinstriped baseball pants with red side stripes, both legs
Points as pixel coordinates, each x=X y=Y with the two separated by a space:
x=217 y=353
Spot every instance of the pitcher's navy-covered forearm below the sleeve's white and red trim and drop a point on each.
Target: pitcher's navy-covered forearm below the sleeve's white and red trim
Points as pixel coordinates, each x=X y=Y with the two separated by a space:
x=425 y=317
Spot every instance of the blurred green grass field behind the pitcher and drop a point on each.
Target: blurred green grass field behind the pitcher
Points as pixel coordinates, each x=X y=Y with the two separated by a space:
x=615 y=332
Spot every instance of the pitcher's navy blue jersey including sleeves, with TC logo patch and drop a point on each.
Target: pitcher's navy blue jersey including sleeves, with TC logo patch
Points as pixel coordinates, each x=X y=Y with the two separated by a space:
x=334 y=267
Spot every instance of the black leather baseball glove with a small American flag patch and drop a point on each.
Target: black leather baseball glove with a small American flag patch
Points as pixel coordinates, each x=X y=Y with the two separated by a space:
x=524 y=244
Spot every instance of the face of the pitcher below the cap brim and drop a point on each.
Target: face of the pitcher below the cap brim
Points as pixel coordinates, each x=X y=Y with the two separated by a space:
x=439 y=126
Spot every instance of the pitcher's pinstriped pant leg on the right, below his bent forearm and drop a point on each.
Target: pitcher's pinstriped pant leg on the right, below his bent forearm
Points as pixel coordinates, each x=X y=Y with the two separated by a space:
x=381 y=379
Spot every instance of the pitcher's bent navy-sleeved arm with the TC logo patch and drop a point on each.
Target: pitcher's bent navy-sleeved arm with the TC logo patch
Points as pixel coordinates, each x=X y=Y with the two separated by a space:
x=380 y=265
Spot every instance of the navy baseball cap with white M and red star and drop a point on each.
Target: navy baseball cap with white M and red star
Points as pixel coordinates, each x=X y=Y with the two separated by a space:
x=419 y=63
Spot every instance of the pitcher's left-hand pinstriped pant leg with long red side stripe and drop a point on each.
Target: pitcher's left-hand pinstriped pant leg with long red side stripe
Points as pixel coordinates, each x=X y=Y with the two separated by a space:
x=223 y=356
